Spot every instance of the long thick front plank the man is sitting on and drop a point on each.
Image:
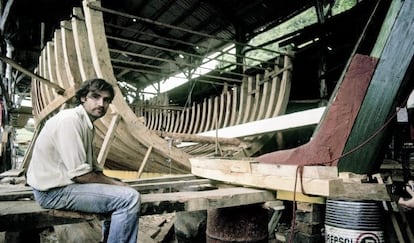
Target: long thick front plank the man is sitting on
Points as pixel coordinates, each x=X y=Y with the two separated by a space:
x=21 y=215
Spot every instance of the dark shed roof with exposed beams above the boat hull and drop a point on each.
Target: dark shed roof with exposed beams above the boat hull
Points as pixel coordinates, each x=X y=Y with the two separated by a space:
x=158 y=30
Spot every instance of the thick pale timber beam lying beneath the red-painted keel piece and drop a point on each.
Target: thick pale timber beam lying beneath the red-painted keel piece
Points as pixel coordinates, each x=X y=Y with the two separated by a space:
x=316 y=180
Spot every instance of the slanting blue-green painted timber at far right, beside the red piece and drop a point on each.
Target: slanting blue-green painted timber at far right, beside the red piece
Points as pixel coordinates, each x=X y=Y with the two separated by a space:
x=390 y=79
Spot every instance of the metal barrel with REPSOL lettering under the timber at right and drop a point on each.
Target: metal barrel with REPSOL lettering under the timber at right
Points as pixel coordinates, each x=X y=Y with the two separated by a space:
x=353 y=221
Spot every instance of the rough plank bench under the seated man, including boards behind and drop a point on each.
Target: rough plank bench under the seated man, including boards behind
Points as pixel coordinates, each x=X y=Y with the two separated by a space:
x=18 y=211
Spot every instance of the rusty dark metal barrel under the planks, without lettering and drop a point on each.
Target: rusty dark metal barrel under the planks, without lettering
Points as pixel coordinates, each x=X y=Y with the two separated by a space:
x=237 y=224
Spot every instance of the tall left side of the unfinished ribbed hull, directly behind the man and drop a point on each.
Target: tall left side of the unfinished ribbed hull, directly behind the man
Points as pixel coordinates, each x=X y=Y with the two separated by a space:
x=79 y=52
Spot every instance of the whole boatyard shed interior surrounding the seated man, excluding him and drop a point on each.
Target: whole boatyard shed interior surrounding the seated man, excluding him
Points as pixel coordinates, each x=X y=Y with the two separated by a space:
x=237 y=121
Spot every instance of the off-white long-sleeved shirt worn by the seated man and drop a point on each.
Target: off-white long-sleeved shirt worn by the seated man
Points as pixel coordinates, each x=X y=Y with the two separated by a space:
x=63 y=150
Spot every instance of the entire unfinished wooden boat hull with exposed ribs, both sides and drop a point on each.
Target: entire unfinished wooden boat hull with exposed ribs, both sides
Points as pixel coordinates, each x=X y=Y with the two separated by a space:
x=79 y=51
